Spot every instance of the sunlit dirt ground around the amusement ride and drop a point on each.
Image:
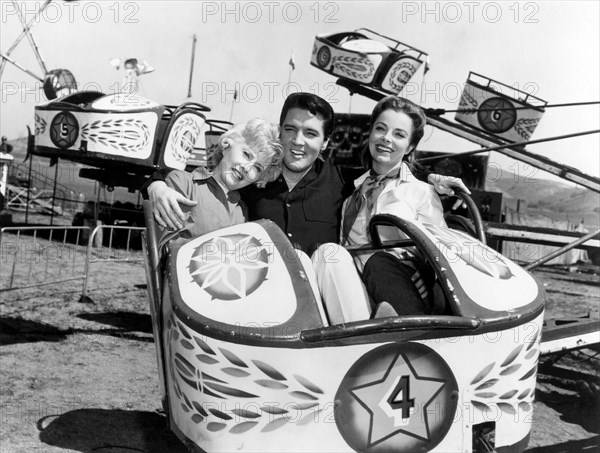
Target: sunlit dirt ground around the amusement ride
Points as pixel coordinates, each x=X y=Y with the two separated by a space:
x=82 y=377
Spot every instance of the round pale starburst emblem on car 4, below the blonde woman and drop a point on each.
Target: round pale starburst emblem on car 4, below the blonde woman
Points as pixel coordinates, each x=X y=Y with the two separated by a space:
x=230 y=267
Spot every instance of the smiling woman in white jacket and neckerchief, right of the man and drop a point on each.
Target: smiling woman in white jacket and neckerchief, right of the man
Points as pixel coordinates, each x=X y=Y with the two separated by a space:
x=397 y=126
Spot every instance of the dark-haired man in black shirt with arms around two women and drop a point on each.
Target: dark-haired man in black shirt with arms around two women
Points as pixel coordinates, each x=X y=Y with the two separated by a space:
x=306 y=200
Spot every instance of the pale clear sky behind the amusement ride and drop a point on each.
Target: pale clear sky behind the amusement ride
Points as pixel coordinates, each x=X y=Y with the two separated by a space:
x=547 y=48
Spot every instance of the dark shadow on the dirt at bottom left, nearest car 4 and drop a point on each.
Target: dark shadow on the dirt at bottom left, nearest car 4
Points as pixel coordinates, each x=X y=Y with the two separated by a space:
x=106 y=430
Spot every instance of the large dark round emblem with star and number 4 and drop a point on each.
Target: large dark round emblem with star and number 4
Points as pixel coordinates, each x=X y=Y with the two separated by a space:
x=398 y=397
